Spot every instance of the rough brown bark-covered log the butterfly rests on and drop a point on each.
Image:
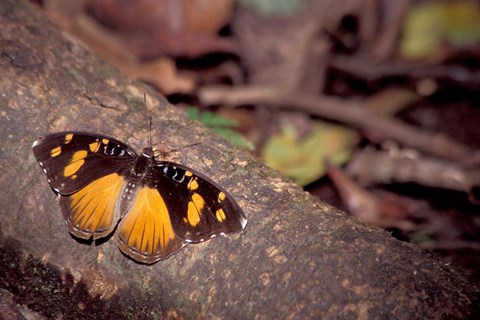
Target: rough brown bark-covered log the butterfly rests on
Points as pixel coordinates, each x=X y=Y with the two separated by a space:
x=297 y=258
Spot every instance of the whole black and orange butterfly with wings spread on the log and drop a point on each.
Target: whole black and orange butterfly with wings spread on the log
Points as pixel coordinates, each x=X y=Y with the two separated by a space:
x=153 y=207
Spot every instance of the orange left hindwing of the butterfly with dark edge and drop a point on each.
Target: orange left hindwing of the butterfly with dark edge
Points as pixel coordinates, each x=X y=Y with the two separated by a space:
x=92 y=210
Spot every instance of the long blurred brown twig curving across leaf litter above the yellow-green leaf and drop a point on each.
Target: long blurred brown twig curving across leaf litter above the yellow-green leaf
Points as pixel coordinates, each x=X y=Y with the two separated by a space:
x=345 y=111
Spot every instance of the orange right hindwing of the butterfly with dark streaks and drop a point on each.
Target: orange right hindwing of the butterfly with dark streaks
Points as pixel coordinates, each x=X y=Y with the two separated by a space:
x=146 y=233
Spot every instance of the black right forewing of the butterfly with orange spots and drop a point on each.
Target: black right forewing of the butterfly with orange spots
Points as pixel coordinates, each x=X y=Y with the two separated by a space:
x=199 y=208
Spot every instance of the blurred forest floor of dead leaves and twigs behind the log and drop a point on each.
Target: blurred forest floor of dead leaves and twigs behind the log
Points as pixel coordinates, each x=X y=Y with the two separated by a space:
x=371 y=105
